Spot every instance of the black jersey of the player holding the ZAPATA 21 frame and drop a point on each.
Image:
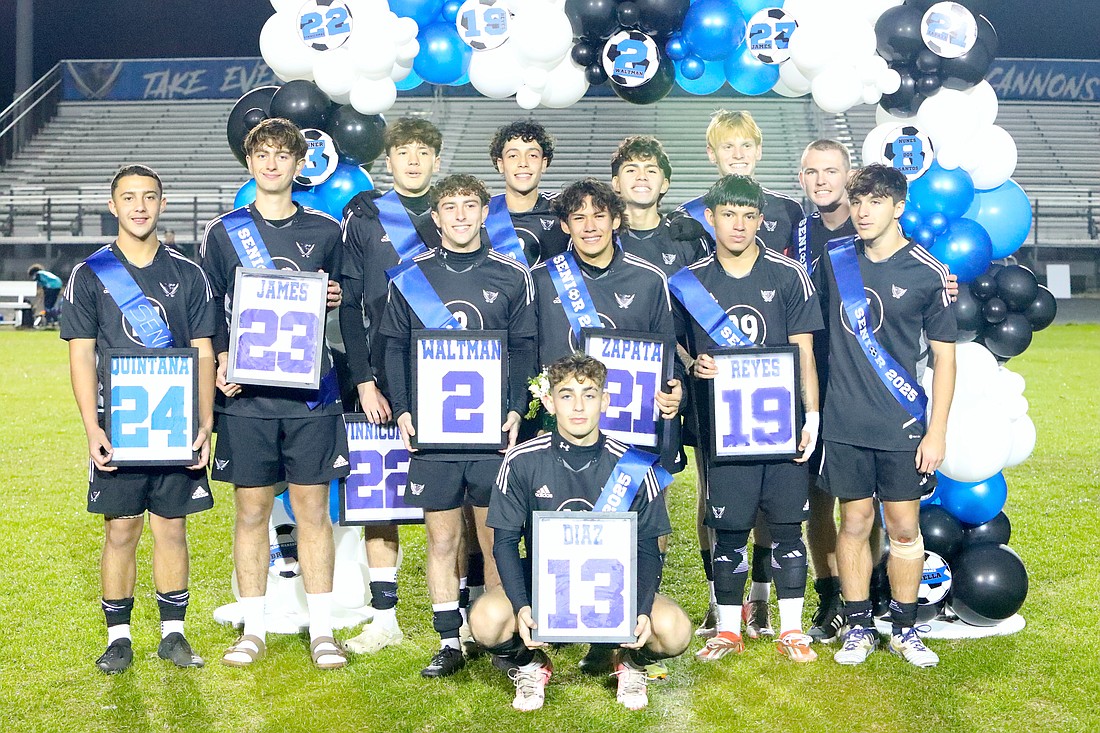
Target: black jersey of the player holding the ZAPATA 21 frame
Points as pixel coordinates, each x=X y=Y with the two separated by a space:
x=631 y=296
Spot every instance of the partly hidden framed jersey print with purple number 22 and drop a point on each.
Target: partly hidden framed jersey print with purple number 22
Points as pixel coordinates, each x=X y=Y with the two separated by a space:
x=375 y=493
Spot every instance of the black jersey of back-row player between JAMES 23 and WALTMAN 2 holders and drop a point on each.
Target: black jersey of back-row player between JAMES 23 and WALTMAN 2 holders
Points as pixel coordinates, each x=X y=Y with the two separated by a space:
x=368 y=255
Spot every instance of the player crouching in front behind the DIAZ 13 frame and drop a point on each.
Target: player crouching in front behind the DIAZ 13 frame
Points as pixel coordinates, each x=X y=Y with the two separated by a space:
x=567 y=471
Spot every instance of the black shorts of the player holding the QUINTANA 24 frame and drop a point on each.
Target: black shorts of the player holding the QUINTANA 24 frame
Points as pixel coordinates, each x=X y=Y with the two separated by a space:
x=170 y=493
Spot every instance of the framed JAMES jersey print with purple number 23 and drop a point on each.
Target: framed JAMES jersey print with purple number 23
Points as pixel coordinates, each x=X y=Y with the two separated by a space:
x=278 y=329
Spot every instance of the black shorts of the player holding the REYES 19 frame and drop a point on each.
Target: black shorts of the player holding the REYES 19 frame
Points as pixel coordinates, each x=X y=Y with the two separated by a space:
x=736 y=493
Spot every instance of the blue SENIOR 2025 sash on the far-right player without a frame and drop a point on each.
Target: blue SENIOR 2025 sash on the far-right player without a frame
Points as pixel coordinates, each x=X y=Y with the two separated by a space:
x=850 y=287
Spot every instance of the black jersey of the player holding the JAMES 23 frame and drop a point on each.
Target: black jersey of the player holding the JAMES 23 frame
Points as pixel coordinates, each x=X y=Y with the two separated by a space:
x=310 y=242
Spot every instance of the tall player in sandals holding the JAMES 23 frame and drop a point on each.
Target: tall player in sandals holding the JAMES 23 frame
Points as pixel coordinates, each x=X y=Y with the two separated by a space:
x=266 y=434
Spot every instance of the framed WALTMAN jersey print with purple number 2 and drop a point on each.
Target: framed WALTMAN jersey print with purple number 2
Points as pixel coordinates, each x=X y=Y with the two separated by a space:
x=459 y=385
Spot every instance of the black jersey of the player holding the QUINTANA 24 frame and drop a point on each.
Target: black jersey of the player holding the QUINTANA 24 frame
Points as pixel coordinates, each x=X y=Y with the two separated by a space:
x=174 y=286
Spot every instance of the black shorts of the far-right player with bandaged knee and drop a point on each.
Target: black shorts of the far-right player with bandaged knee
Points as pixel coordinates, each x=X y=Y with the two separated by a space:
x=857 y=473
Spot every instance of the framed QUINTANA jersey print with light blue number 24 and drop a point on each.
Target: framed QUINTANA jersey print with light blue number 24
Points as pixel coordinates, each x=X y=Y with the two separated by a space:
x=151 y=415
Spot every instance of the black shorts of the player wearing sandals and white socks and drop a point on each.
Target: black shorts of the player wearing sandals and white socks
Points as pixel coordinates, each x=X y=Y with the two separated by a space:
x=256 y=452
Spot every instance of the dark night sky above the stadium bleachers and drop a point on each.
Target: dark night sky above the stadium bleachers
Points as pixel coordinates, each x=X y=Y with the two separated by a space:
x=113 y=29
